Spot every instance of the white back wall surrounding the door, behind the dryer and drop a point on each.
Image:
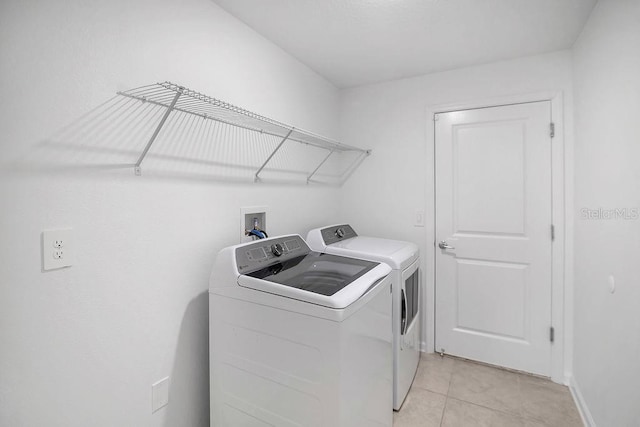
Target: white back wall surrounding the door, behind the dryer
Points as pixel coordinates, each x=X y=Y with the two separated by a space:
x=382 y=196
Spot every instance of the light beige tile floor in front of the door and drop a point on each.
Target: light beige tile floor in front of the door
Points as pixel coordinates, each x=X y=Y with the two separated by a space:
x=451 y=392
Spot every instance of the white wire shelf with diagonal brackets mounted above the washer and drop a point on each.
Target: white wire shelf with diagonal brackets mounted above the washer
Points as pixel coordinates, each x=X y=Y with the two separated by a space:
x=176 y=98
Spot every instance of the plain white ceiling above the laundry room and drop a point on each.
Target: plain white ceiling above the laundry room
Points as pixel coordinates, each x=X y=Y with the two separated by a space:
x=356 y=42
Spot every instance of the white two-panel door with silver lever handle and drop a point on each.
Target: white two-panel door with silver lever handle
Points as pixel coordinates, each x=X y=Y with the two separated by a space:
x=493 y=209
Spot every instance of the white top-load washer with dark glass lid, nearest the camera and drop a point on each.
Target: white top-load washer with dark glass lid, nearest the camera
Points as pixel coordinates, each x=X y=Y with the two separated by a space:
x=299 y=338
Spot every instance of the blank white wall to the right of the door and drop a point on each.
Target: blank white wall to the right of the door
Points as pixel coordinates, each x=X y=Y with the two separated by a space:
x=607 y=148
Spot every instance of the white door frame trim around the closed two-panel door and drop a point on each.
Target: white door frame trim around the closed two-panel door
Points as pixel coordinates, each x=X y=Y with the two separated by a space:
x=562 y=247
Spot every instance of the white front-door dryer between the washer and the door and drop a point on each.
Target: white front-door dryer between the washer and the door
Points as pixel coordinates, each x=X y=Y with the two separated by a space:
x=403 y=257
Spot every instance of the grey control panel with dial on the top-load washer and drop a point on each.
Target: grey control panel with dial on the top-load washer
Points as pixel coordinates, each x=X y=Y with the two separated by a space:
x=262 y=253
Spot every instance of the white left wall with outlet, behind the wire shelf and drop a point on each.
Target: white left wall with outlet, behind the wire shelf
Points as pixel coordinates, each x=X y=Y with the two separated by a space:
x=82 y=346
